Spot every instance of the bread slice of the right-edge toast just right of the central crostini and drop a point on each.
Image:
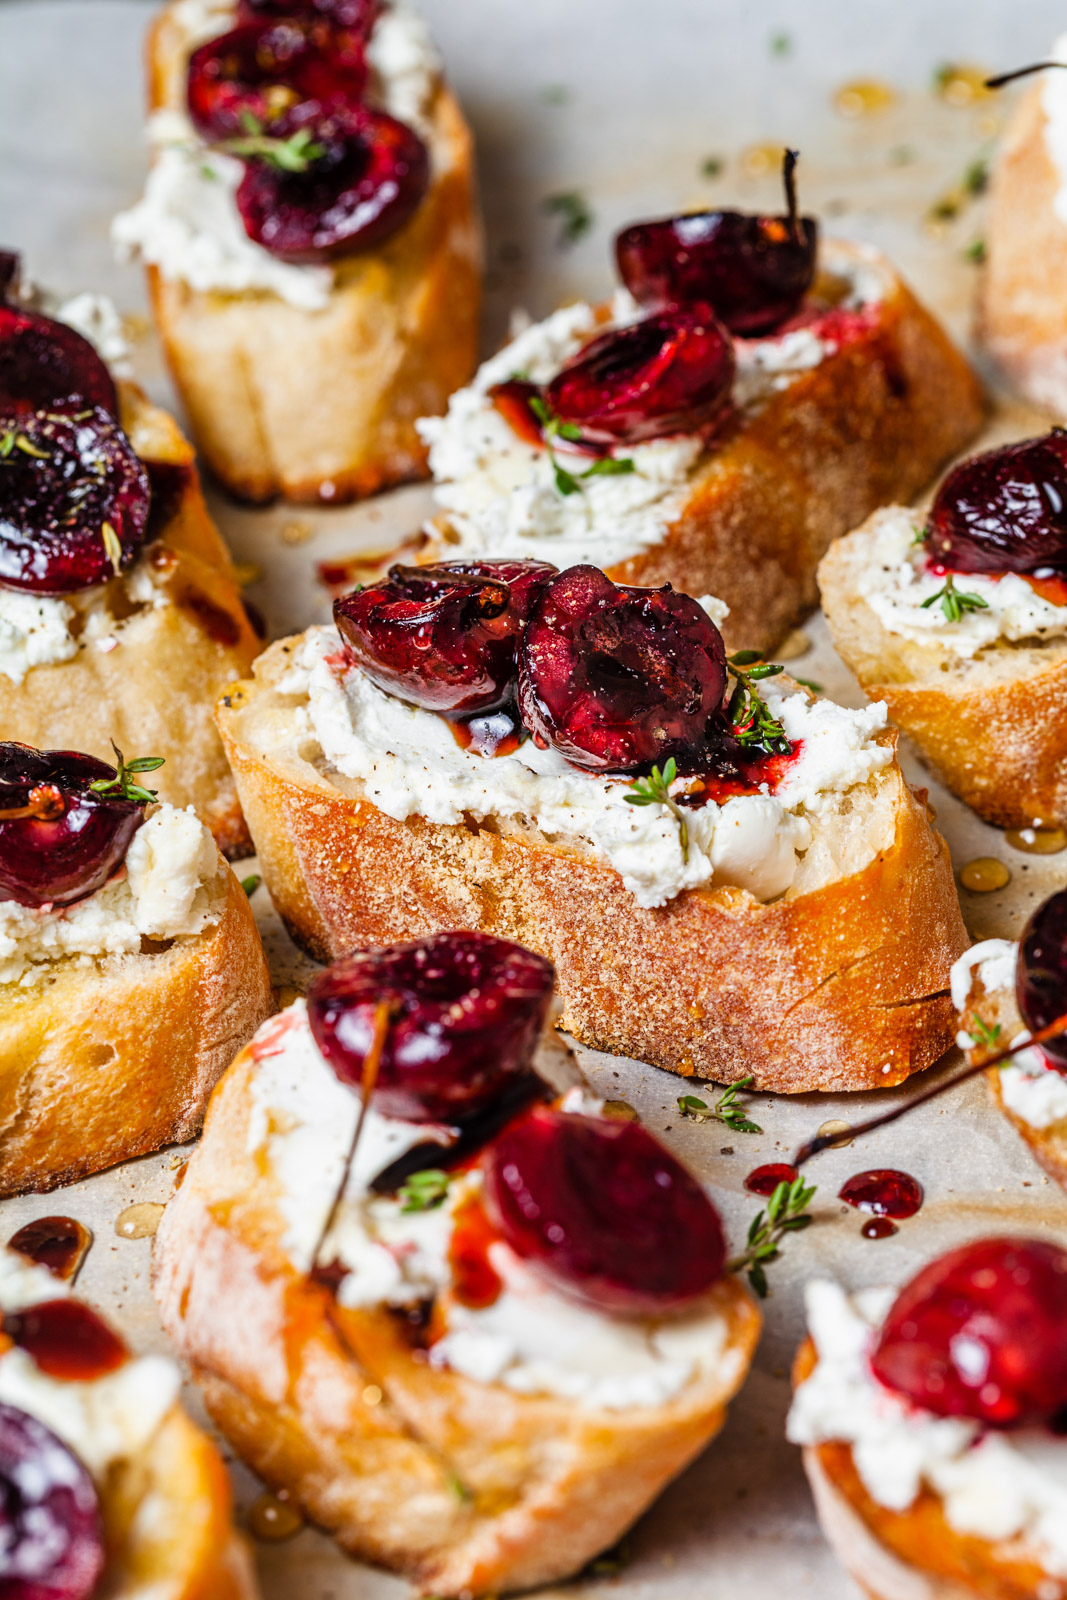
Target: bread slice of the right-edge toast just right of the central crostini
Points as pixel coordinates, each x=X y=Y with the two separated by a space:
x=994 y=727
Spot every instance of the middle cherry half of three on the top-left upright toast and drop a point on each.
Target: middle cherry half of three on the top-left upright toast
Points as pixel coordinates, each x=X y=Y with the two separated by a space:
x=278 y=76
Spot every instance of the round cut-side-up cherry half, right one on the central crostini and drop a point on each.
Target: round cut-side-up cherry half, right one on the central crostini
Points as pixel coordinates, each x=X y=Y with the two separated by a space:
x=618 y=678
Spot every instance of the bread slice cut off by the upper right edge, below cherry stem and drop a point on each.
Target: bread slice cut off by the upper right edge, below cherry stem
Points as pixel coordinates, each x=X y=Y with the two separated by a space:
x=1023 y=310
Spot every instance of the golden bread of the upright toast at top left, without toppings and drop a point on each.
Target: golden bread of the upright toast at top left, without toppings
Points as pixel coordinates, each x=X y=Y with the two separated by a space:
x=322 y=404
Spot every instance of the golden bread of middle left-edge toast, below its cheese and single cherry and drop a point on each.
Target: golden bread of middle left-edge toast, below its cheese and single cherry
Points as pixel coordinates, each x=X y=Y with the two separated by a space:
x=114 y=1060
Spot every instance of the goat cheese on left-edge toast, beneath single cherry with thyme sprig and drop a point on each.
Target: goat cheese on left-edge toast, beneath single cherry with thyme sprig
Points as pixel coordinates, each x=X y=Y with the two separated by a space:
x=174 y=887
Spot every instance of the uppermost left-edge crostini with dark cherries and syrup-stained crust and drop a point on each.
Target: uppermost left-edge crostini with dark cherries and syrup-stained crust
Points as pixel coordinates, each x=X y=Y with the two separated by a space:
x=121 y=617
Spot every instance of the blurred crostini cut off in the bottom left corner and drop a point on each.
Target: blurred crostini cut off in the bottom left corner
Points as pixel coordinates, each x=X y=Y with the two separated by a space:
x=108 y=1487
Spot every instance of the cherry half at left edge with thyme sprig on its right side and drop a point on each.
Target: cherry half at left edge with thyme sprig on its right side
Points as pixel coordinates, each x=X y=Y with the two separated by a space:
x=76 y=841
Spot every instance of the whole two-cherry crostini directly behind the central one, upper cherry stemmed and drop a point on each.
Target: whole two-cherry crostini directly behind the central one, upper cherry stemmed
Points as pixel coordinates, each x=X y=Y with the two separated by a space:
x=722 y=457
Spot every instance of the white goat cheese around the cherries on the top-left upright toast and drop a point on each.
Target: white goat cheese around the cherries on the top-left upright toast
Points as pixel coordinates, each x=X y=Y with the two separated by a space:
x=188 y=223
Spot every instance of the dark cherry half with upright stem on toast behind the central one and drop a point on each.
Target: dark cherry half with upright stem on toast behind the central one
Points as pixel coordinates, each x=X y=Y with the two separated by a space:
x=753 y=271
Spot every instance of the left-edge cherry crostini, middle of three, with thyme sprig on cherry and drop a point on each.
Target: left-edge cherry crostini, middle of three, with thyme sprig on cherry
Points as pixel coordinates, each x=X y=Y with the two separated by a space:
x=130 y=969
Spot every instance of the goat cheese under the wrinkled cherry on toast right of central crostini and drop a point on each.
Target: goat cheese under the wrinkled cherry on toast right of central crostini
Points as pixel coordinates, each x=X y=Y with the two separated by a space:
x=897 y=586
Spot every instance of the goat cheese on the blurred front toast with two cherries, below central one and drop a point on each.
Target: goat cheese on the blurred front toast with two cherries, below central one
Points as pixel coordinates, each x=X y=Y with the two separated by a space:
x=532 y=1340
